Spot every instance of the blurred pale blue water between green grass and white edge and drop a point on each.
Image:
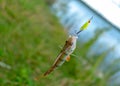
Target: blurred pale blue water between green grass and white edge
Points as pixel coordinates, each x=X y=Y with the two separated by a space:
x=73 y=13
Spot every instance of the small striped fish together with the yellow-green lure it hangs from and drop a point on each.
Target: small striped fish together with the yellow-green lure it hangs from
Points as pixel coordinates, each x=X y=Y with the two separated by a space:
x=67 y=50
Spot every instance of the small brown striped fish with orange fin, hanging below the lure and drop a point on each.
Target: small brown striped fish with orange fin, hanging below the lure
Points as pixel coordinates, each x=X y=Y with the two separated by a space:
x=67 y=50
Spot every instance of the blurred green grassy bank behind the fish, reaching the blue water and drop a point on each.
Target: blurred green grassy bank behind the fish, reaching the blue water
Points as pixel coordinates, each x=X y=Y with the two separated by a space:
x=30 y=36
